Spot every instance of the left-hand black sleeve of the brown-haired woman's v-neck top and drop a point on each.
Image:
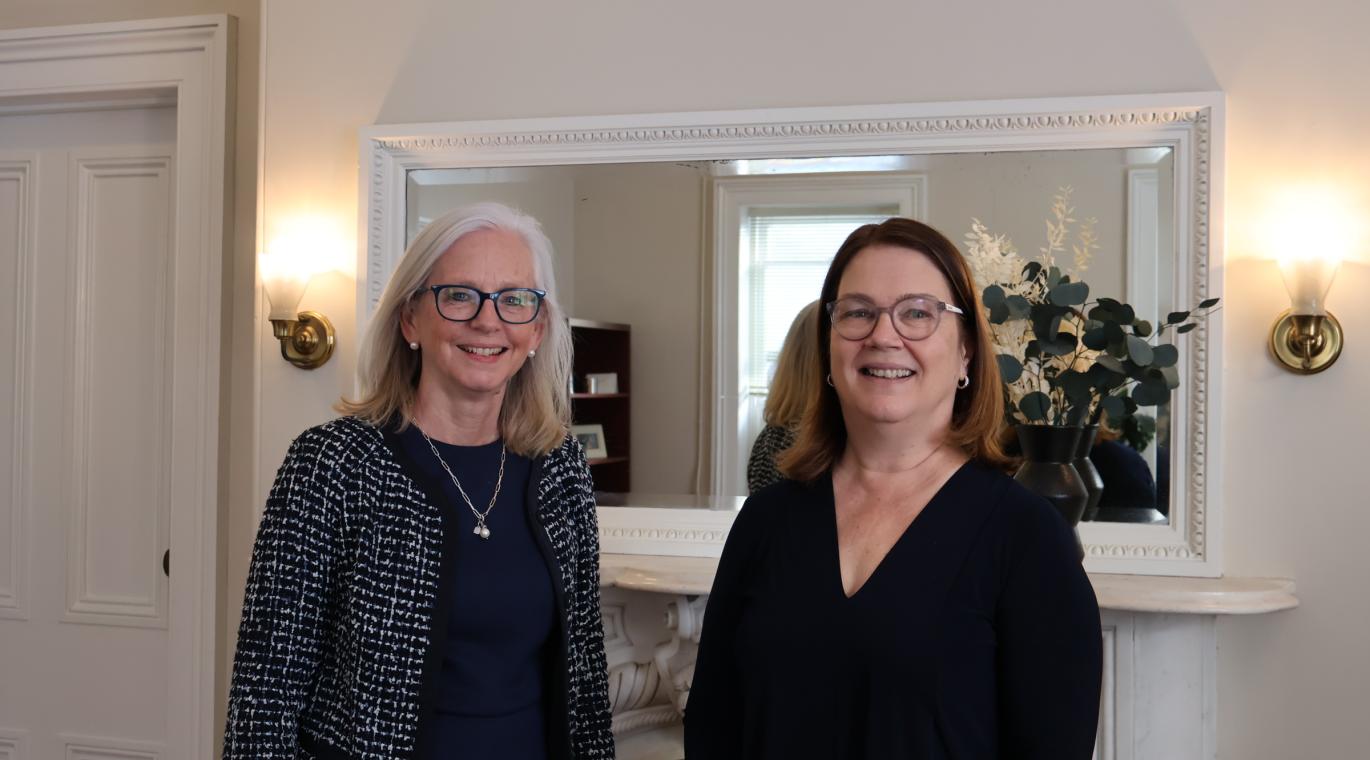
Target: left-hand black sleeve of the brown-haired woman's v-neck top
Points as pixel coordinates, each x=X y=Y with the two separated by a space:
x=716 y=710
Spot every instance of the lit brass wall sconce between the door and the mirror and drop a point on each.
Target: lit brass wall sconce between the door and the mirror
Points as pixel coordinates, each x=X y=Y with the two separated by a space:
x=306 y=338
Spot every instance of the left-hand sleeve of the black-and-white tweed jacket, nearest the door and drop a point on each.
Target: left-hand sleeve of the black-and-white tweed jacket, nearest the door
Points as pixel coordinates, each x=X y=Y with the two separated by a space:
x=286 y=609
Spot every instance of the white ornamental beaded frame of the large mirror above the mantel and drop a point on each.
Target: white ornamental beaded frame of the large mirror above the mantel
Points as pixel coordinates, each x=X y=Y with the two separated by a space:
x=1188 y=124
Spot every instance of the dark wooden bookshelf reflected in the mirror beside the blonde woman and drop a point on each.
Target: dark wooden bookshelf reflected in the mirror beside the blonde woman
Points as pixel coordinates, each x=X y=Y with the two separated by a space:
x=605 y=347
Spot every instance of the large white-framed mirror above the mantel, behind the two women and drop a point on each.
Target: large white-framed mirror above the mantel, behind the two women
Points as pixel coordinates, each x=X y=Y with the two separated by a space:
x=708 y=240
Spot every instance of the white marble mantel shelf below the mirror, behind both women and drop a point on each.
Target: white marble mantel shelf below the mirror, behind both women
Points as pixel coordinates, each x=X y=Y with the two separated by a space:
x=1128 y=594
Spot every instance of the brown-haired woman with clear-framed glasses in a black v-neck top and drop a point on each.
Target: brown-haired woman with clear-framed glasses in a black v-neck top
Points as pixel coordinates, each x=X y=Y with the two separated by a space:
x=899 y=596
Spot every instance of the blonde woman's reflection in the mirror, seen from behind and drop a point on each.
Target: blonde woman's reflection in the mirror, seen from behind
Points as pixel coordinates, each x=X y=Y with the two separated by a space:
x=794 y=384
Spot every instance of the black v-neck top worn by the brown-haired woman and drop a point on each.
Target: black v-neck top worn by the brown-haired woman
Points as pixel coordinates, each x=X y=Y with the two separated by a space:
x=976 y=637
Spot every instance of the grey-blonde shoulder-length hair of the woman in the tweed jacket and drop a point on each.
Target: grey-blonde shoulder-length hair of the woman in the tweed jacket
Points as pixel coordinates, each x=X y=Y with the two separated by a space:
x=536 y=413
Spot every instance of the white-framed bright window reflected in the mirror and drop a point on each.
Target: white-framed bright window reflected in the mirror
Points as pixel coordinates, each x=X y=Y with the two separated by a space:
x=775 y=238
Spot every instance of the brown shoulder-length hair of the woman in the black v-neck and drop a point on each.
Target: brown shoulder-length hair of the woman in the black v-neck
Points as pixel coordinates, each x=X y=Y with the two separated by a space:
x=977 y=413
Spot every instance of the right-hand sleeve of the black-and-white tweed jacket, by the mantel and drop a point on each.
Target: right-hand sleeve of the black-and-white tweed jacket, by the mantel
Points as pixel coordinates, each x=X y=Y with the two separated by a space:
x=593 y=735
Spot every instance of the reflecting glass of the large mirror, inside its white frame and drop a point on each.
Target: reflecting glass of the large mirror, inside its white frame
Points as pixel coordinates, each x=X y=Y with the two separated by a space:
x=708 y=264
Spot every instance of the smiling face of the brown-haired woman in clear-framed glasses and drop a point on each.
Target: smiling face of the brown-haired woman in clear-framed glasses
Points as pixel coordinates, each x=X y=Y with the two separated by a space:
x=886 y=377
